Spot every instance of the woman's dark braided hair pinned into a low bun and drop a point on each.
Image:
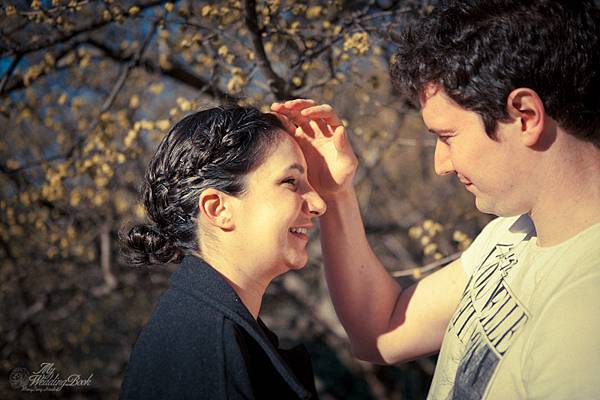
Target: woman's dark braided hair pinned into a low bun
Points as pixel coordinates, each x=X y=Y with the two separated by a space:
x=214 y=148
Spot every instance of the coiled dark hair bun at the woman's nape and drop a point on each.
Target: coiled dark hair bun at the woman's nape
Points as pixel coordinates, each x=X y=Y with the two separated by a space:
x=147 y=245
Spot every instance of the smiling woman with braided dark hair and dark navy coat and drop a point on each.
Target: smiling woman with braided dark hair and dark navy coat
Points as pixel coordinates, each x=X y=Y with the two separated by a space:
x=228 y=197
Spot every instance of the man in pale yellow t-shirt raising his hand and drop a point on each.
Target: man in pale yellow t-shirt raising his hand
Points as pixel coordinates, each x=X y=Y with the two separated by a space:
x=511 y=90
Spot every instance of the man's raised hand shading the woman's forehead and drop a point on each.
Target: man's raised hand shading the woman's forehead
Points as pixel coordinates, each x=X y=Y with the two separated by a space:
x=322 y=137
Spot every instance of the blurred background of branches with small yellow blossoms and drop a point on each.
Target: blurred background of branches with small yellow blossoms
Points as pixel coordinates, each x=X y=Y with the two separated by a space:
x=89 y=87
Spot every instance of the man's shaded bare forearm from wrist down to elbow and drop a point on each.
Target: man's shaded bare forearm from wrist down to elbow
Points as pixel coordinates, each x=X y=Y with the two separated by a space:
x=363 y=292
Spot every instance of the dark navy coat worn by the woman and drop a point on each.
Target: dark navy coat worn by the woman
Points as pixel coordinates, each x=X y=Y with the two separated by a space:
x=201 y=342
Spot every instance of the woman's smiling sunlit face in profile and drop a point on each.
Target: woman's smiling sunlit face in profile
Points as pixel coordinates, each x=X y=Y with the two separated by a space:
x=273 y=217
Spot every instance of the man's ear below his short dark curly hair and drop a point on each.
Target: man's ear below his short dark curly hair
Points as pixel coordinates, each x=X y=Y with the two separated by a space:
x=526 y=107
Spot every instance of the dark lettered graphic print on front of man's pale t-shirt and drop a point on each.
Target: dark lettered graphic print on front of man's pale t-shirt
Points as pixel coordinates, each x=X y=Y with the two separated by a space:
x=486 y=321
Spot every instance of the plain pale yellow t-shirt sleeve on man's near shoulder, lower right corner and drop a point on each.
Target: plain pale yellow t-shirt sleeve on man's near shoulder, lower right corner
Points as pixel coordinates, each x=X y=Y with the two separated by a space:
x=562 y=357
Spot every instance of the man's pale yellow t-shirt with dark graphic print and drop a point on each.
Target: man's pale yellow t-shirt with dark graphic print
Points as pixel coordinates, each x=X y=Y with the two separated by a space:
x=528 y=324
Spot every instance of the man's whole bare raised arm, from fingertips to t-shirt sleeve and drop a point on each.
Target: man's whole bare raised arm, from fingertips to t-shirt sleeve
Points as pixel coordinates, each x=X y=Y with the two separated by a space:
x=385 y=323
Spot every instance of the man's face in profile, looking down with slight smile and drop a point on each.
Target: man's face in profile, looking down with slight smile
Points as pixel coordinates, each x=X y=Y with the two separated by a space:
x=495 y=171
